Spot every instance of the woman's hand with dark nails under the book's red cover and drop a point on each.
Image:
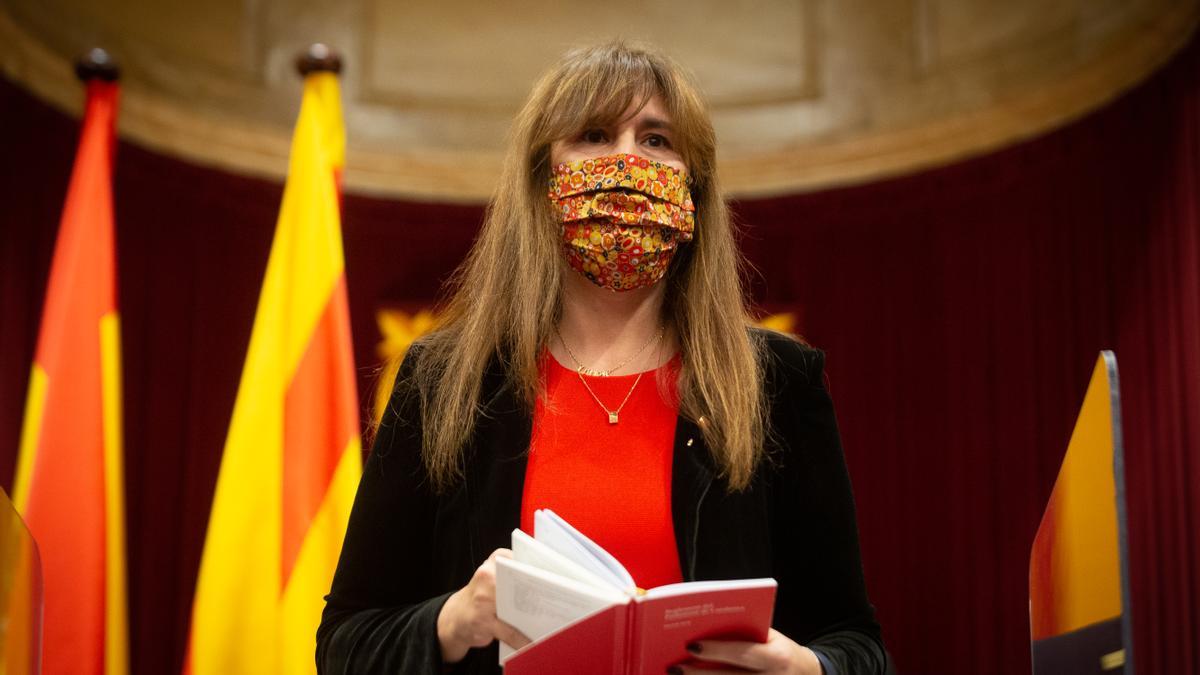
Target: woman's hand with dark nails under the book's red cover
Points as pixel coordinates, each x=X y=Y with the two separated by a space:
x=778 y=655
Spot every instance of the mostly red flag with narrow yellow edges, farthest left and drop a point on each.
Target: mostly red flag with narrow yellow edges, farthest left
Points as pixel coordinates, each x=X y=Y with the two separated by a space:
x=70 y=481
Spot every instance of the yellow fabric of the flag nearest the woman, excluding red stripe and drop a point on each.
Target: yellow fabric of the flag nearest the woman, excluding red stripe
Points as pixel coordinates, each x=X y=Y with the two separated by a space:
x=241 y=624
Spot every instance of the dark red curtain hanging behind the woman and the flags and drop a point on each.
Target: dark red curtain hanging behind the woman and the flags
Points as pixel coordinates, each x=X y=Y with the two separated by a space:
x=962 y=310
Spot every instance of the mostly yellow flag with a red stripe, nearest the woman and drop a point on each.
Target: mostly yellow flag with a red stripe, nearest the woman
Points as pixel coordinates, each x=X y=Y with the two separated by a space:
x=293 y=457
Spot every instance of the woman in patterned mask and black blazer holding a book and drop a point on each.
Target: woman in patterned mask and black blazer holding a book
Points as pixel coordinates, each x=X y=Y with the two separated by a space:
x=597 y=359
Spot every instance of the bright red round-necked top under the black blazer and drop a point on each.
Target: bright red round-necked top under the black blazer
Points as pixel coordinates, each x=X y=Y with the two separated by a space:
x=613 y=482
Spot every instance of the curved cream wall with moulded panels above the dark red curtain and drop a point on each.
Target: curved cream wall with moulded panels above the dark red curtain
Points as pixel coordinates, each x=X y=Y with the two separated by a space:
x=806 y=94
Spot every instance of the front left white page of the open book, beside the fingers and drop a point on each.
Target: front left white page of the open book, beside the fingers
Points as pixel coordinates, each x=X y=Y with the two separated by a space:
x=537 y=602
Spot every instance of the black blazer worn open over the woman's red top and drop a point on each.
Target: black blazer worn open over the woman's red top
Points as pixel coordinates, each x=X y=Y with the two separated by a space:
x=407 y=547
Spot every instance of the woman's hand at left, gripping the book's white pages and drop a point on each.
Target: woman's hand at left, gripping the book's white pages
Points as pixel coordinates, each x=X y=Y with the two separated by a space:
x=469 y=617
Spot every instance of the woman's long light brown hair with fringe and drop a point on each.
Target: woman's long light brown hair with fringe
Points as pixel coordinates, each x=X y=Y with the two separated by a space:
x=506 y=298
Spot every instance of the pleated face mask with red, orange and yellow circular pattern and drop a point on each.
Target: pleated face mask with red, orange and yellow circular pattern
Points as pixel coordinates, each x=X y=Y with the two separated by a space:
x=622 y=218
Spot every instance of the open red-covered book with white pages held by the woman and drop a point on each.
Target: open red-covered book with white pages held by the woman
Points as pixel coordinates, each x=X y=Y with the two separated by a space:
x=585 y=613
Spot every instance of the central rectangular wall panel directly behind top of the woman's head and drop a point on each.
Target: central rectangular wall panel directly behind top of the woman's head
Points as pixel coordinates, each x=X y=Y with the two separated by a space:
x=459 y=53
